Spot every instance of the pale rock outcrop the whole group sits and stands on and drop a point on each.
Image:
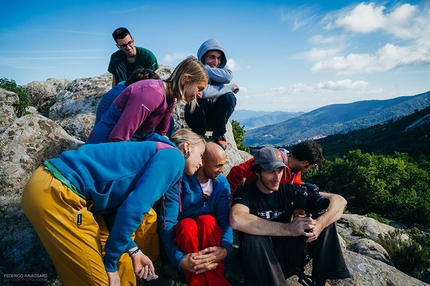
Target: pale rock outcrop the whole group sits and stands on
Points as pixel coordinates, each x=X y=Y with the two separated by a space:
x=27 y=141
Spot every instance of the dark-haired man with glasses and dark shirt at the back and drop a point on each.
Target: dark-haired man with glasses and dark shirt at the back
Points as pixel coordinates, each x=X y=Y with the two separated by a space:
x=128 y=57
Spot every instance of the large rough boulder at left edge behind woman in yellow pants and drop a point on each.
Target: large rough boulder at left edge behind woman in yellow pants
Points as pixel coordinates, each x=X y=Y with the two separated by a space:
x=24 y=145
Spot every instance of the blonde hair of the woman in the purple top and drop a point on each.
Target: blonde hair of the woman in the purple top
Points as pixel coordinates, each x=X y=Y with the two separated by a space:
x=195 y=72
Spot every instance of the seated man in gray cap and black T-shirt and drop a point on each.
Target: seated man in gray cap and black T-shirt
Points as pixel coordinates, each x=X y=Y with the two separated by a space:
x=272 y=245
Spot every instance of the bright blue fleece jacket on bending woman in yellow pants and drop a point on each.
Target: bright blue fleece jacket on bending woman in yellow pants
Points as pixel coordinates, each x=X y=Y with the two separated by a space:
x=119 y=177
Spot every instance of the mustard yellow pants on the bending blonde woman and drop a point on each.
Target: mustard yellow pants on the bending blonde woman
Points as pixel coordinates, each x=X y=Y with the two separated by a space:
x=76 y=250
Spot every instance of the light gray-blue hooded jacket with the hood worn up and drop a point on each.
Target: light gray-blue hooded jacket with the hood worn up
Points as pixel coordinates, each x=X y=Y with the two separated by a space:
x=220 y=78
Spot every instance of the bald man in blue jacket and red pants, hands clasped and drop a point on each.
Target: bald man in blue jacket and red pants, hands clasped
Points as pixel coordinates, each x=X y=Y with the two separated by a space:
x=195 y=226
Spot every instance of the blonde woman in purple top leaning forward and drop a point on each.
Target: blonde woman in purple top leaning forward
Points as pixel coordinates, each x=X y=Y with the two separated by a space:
x=147 y=105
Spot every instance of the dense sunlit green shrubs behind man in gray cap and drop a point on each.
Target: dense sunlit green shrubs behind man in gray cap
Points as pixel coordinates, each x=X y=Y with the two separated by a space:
x=390 y=186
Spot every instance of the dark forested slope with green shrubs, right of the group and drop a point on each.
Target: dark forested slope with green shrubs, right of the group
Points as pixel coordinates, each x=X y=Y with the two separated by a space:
x=384 y=172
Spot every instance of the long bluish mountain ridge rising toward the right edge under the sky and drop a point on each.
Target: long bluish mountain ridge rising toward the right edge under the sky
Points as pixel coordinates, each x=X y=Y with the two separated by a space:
x=335 y=119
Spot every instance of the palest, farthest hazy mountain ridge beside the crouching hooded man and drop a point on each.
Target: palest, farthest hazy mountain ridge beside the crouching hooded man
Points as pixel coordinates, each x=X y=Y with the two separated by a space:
x=251 y=119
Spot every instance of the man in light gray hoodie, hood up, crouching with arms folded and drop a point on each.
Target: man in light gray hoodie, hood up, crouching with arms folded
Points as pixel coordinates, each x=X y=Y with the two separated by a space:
x=217 y=104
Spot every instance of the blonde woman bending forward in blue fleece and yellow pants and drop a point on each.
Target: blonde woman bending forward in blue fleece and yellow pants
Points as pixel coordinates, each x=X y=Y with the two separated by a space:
x=63 y=195
